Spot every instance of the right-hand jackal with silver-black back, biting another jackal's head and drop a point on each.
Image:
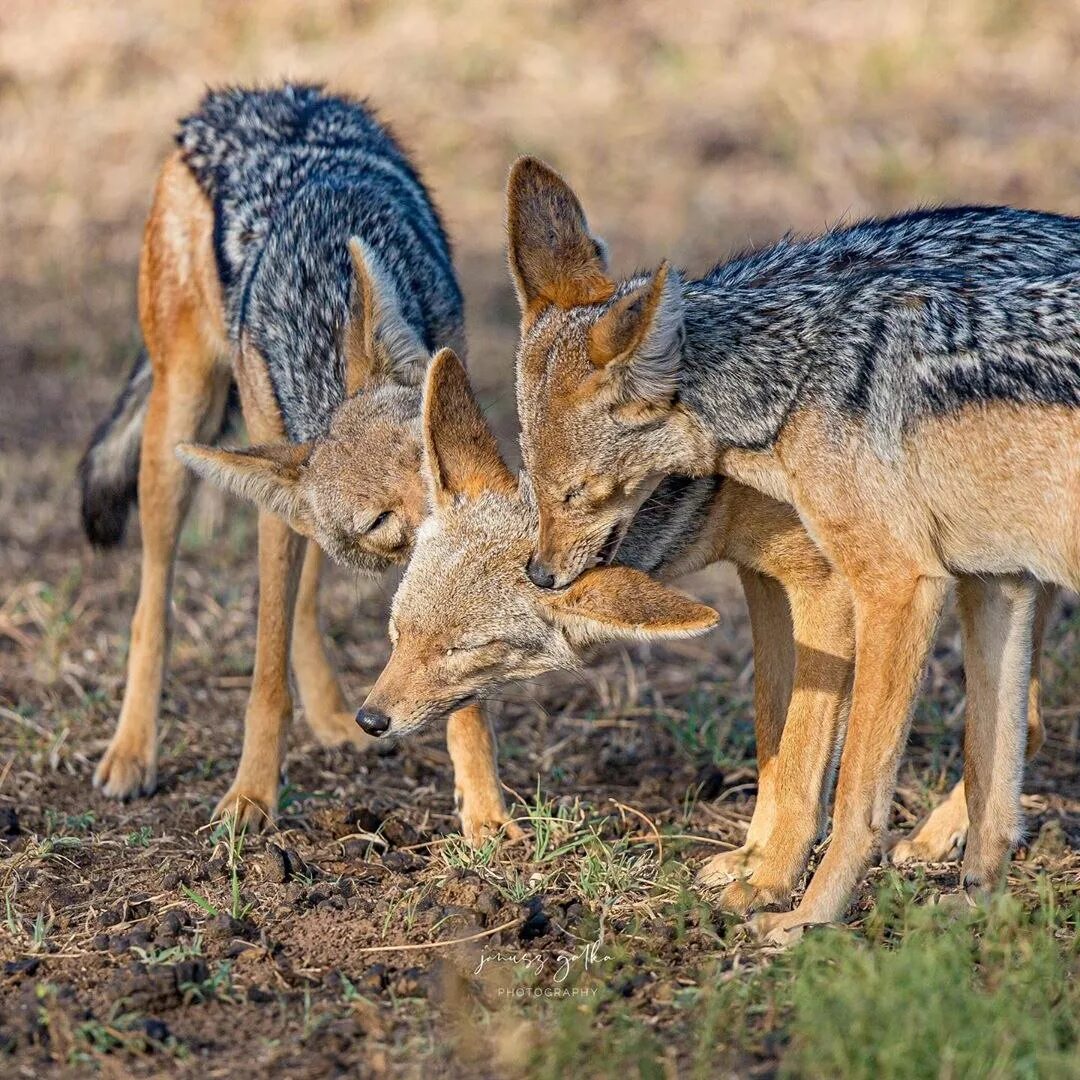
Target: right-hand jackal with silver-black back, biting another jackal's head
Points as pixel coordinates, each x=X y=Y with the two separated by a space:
x=910 y=387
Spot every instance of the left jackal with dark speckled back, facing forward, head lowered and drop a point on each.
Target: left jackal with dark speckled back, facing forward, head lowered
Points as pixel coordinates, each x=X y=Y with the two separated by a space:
x=293 y=249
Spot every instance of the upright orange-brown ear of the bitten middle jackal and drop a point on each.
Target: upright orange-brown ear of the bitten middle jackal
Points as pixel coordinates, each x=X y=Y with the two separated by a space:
x=461 y=453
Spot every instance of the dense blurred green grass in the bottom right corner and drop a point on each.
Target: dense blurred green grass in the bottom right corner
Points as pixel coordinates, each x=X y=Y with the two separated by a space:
x=990 y=993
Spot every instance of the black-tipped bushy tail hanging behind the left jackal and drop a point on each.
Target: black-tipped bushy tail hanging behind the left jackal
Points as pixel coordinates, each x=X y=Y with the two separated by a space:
x=109 y=474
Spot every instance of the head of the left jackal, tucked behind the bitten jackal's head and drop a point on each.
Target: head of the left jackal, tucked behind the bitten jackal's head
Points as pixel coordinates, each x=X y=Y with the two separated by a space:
x=357 y=491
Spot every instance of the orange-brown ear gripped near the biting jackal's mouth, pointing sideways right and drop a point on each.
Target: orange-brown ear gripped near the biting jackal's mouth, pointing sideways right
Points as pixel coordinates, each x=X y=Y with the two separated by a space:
x=617 y=603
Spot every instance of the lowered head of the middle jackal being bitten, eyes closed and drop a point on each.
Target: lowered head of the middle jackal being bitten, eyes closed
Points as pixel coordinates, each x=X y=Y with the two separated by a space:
x=466 y=619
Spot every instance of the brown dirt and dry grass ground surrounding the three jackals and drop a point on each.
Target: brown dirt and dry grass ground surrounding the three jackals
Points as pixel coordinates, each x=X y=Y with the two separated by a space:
x=363 y=937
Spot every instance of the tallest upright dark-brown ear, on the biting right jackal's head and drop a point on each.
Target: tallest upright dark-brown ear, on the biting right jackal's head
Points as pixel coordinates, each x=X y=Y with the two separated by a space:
x=552 y=256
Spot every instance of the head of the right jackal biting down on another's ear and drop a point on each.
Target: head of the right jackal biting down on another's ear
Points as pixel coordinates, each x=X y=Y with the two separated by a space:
x=598 y=379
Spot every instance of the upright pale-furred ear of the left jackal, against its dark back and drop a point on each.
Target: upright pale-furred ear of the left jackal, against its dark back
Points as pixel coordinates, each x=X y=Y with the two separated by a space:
x=380 y=345
